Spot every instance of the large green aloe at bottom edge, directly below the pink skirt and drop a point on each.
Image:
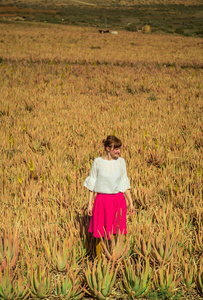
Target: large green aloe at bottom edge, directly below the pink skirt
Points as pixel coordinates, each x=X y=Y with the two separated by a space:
x=100 y=278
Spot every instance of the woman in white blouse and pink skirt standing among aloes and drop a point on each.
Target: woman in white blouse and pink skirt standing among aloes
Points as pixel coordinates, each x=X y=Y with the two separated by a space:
x=108 y=178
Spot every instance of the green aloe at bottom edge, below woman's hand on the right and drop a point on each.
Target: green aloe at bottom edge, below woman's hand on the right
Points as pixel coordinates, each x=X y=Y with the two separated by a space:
x=137 y=279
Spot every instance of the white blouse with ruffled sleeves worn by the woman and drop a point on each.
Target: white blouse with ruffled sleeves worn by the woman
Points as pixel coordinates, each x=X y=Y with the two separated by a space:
x=108 y=176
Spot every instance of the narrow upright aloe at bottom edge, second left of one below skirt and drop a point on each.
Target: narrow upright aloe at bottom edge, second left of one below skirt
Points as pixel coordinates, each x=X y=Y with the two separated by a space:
x=40 y=282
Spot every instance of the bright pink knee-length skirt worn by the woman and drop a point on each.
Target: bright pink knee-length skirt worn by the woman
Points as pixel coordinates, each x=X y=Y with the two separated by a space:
x=108 y=215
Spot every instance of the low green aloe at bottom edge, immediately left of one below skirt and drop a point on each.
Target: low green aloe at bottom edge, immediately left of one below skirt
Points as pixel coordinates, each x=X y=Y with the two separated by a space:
x=68 y=288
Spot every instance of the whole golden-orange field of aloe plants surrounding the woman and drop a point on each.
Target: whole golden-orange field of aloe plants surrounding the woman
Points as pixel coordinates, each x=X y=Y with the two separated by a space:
x=64 y=89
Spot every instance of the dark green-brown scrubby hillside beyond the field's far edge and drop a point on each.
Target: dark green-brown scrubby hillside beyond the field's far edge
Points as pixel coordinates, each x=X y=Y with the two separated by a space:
x=170 y=17
